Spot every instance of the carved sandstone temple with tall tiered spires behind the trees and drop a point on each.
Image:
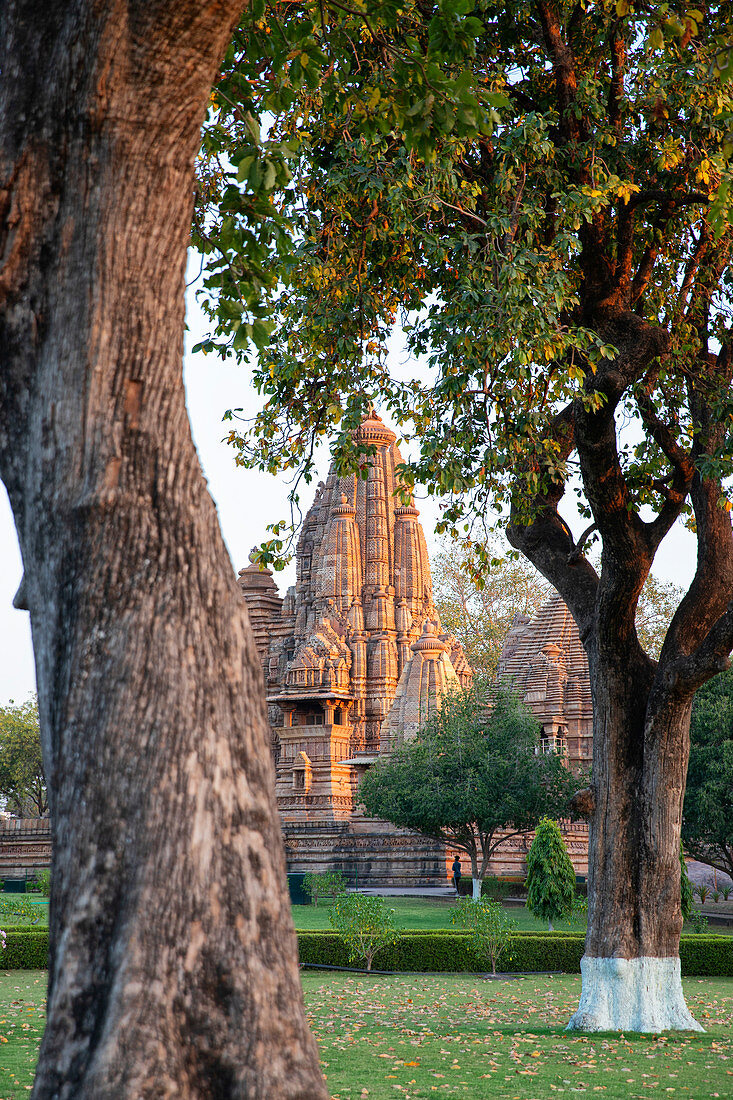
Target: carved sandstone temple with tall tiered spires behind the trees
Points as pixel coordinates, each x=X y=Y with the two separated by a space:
x=355 y=658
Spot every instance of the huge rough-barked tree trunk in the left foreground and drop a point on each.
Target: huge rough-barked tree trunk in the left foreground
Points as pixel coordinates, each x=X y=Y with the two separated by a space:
x=173 y=960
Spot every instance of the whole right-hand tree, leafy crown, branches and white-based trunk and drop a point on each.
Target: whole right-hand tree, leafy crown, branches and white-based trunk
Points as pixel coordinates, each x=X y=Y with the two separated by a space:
x=560 y=259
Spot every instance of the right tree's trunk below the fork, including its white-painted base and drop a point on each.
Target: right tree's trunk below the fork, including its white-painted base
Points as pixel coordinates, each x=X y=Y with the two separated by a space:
x=631 y=972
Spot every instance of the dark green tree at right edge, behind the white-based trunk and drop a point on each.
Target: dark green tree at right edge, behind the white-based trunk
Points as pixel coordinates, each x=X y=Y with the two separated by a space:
x=708 y=811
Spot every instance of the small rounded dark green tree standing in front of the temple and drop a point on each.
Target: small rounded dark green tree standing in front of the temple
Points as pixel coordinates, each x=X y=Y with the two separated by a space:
x=472 y=778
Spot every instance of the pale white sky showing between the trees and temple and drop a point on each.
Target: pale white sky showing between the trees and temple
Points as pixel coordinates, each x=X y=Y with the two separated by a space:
x=247 y=502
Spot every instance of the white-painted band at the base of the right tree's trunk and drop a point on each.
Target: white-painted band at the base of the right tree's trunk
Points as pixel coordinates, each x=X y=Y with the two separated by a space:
x=642 y=995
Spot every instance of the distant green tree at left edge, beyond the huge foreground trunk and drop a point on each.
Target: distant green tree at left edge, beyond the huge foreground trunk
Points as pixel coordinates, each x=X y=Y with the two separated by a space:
x=23 y=780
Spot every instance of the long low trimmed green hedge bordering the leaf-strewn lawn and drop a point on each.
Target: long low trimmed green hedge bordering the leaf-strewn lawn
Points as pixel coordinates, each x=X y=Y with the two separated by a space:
x=707 y=956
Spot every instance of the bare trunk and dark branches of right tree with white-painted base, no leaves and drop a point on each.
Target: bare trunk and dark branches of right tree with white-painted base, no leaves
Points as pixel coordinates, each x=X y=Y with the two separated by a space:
x=641 y=708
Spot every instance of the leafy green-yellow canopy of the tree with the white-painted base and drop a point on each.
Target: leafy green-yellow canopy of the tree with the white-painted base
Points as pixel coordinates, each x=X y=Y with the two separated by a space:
x=575 y=173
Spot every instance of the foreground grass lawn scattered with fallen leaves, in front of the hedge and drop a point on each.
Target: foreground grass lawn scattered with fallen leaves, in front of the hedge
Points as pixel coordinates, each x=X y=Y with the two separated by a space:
x=420 y=1037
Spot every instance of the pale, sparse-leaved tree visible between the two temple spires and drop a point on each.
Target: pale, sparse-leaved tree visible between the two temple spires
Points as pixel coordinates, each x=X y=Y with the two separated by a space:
x=480 y=609
